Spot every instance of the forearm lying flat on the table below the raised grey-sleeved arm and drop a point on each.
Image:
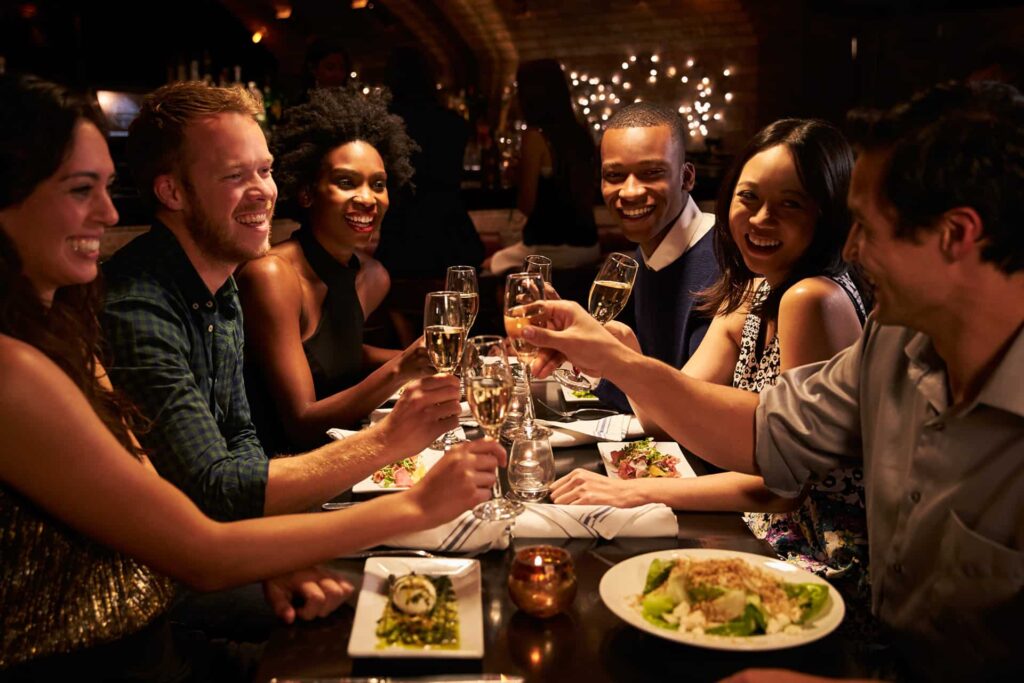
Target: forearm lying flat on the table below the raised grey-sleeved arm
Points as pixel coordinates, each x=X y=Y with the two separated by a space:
x=727 y=492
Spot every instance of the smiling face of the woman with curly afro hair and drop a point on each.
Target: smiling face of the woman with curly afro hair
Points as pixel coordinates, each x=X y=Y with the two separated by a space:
x=351 y=196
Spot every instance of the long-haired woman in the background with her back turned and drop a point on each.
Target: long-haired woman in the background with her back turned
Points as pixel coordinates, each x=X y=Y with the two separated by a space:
x=558 y=175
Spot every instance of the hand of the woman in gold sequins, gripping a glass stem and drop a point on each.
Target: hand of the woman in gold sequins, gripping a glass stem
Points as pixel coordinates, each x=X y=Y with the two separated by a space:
x=459 y=481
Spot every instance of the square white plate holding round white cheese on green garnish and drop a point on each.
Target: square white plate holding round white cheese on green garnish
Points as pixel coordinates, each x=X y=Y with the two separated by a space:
x=465 y=577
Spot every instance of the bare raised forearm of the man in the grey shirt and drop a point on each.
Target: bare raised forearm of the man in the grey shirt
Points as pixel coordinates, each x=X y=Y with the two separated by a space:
x=718 y=422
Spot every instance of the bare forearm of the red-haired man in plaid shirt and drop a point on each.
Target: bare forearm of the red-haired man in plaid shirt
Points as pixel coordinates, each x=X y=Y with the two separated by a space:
x=301 y=483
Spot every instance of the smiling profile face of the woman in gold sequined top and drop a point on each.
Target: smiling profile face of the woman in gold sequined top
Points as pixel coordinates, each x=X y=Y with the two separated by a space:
x=57 y=229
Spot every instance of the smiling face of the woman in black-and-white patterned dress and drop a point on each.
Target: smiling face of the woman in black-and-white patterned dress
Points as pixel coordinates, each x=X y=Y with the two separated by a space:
x=772 y=217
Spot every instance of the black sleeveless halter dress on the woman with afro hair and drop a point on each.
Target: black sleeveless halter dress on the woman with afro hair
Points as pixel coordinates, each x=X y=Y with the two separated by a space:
x=334 y=352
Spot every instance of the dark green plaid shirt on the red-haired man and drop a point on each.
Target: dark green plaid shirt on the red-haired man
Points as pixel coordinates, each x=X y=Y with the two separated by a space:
x=178 y=355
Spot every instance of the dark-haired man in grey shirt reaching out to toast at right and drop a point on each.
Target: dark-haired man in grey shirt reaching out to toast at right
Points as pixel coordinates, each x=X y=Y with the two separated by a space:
x=930 y=398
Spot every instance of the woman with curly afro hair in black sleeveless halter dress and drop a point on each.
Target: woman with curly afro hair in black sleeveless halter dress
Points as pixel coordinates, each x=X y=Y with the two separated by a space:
x=307 y=302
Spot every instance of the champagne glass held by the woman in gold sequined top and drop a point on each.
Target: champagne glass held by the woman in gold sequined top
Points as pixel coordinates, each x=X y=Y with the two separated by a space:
x=489 y=389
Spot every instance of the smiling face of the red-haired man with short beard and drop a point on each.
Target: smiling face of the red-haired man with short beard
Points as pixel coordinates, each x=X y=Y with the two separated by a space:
x=229 y=191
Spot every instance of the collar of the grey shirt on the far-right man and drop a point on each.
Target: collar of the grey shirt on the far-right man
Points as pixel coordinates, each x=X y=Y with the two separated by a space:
x=1002 y=391
